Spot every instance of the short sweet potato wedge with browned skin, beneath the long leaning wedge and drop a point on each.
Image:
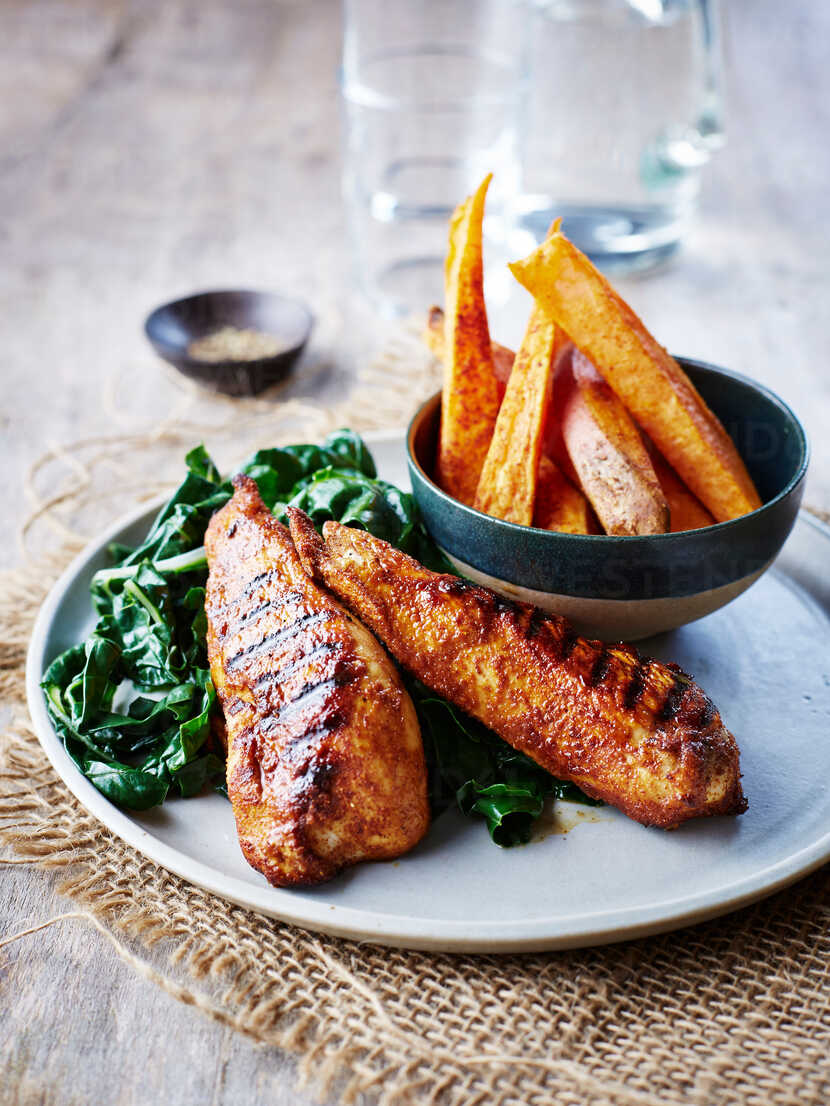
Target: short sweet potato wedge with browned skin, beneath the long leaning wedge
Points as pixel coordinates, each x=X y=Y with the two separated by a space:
x=609 y=456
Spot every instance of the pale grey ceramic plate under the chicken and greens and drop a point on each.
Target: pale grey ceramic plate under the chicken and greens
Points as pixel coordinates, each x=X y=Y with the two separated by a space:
x=766 y=662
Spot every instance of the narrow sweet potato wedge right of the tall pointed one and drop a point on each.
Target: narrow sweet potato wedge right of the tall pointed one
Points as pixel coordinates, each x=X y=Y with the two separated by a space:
x=507 y=485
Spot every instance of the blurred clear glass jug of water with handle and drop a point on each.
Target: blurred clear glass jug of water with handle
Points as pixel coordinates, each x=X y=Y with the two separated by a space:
x=625 y=113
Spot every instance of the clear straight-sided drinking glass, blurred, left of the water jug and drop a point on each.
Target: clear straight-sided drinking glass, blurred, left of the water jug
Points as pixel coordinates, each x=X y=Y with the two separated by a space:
x=433 y=95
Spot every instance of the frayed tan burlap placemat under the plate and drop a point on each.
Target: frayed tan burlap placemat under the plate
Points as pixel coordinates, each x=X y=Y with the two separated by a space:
x=735 y=1011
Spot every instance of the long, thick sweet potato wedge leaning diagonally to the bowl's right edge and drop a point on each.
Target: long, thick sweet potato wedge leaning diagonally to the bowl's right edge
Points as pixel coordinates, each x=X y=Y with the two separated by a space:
x=650 y=383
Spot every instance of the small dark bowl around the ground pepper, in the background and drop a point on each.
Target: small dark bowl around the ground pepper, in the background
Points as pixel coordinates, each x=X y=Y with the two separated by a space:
x=173 y=327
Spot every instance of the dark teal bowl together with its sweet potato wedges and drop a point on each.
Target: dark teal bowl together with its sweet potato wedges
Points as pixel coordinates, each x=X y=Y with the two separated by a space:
x=590 y=473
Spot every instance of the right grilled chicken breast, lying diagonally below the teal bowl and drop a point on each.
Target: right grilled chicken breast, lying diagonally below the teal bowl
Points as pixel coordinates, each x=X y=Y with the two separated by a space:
x=636 y=733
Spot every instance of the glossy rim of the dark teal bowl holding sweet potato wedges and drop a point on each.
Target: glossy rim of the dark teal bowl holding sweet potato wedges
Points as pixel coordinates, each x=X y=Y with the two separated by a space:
x=628 y=540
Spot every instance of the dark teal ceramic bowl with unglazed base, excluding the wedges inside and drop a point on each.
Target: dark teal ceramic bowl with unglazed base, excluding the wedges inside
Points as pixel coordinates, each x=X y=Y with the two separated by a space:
x=630 y=588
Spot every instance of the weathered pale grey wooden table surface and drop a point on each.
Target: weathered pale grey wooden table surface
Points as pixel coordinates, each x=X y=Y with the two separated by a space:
x=149 y=149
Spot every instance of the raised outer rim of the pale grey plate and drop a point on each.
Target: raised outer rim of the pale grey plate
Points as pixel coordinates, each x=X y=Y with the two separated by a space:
x=582 y=931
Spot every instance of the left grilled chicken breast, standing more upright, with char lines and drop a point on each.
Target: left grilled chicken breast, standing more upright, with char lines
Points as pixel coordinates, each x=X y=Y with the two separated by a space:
x=326 y=764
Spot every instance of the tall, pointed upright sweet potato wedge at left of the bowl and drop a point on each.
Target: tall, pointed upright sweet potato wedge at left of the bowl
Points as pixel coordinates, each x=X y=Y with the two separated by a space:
x=470 y=400
